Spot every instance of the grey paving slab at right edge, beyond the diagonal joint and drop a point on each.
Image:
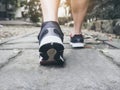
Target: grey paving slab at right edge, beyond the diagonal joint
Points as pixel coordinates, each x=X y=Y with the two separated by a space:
x=113 y=54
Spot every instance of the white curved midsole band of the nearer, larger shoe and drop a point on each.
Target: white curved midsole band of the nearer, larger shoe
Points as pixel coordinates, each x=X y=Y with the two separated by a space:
x=50 y=39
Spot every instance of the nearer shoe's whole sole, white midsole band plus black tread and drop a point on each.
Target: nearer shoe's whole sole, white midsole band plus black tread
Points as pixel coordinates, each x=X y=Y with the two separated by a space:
x=52 y=52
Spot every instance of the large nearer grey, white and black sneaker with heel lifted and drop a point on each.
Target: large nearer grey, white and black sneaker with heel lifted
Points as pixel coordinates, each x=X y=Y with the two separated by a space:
x=51 y=44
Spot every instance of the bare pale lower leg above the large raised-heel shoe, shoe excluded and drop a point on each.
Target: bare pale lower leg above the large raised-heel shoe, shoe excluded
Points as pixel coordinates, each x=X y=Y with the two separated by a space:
x=50 y=10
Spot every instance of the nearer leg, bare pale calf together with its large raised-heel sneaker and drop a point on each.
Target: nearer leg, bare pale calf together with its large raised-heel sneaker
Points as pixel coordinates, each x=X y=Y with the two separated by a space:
x=50 y=36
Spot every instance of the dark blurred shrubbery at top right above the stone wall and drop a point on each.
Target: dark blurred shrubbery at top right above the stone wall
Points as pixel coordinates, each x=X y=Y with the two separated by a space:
x=105 y=9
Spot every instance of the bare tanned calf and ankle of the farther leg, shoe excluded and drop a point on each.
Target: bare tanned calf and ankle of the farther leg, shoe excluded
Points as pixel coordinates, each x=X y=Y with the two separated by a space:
x=79 y=9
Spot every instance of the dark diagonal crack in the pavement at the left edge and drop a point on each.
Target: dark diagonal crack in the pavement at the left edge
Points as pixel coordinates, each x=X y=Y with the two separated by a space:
x=11 y=58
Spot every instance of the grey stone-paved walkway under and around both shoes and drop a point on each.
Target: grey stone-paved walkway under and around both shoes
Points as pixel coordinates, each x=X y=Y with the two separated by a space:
x=95 y=67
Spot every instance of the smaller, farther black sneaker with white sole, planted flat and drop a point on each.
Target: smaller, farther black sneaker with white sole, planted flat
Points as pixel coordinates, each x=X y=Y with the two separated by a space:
x=77 y=41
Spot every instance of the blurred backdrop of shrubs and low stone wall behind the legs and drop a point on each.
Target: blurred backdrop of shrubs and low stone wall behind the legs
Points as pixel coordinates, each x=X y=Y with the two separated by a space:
x=103 y=15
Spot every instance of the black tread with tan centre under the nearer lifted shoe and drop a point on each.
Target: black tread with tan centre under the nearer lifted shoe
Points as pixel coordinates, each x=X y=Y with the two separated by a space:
x=52 y=54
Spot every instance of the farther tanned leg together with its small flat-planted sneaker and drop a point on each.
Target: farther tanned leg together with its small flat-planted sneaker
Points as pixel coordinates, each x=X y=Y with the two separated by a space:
x=79 y=9
